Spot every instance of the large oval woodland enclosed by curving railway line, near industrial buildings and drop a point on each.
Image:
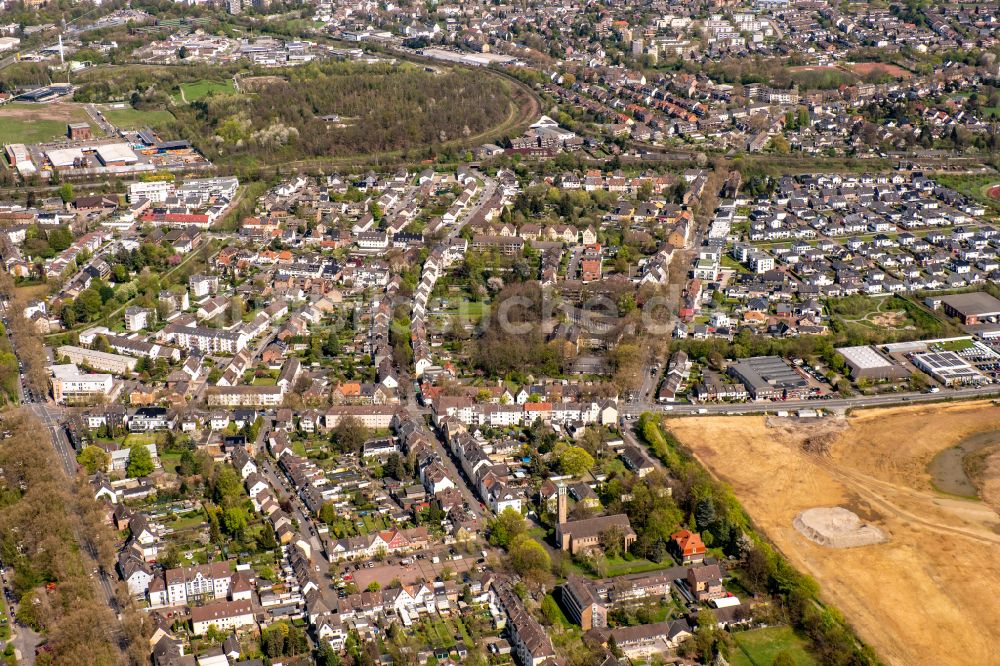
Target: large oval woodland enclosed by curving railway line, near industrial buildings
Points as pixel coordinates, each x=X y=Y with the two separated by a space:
x=381 y=108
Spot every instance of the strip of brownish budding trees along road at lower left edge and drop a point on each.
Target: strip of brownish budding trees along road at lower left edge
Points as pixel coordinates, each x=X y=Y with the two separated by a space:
x=43 y=522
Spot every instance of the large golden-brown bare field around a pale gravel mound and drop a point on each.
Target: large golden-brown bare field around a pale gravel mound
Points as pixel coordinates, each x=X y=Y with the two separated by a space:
x=931 y=594
